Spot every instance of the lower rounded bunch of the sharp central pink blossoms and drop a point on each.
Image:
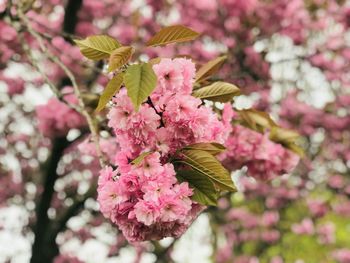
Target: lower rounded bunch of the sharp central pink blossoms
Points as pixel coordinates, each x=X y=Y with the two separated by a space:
x=145 y=201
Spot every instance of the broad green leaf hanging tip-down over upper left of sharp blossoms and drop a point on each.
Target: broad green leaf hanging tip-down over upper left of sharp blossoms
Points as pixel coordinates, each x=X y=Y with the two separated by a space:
x=140 y=80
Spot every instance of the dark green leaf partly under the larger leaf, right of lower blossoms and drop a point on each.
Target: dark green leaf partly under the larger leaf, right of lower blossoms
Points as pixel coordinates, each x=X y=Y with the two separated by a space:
x=204 y=191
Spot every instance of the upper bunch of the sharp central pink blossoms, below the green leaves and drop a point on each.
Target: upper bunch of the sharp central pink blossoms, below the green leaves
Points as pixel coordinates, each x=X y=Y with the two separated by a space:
x=171 y=119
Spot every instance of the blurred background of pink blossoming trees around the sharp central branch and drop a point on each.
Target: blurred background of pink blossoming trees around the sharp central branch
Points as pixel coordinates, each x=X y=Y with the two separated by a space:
x=289 y=57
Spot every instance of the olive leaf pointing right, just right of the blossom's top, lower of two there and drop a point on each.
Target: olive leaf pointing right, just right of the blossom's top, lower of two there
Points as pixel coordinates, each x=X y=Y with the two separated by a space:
x=218 y=91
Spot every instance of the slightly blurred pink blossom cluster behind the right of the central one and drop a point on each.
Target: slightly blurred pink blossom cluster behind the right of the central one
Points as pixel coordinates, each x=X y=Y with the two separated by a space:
x=264 y=158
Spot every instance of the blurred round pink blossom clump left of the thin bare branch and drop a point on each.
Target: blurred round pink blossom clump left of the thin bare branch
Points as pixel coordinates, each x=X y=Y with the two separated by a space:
x=56 y=118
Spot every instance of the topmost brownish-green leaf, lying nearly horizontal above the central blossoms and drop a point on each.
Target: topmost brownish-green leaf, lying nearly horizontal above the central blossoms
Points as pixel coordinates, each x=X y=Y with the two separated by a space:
x=172 y=34
